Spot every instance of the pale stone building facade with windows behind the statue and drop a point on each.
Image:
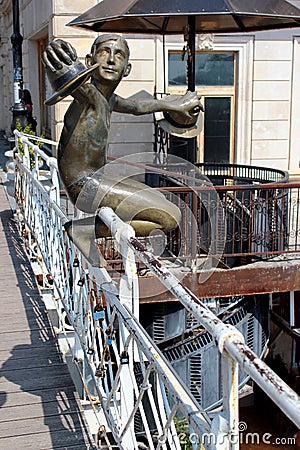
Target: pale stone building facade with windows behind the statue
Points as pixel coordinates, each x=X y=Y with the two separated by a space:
x=249 y=85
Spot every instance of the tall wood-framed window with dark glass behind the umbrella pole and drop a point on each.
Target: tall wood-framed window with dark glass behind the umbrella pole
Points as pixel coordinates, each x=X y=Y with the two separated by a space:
x=215 y=81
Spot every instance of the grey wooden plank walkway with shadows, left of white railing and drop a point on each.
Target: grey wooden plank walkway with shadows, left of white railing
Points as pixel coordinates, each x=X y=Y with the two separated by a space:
x=39 y=407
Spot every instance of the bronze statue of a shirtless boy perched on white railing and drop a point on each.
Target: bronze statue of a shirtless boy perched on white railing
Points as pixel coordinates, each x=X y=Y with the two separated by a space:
x=83 y=141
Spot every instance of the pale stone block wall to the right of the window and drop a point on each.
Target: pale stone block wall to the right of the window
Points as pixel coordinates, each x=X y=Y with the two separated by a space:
x=276 y=90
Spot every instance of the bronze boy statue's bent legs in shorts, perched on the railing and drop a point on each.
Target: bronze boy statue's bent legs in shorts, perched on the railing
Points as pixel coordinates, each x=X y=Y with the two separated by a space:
x=144 y=208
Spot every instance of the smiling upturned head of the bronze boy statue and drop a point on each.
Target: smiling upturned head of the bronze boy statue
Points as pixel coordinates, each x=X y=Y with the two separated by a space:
x=111 y=52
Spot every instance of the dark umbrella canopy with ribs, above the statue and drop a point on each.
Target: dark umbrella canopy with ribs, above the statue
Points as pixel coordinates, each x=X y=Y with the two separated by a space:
x=171 y=16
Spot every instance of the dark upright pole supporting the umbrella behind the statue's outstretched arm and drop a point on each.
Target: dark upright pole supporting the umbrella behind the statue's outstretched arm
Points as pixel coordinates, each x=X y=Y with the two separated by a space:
x=191 y=44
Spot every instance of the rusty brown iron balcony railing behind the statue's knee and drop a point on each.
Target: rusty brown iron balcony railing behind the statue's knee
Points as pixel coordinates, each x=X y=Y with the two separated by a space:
x=261 y=218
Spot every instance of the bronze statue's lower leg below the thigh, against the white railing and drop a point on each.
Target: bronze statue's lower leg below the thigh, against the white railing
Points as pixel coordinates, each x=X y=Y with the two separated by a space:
x=83 y=233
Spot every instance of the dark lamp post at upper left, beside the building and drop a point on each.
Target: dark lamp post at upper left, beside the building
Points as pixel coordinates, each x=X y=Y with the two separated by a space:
x=19 y=110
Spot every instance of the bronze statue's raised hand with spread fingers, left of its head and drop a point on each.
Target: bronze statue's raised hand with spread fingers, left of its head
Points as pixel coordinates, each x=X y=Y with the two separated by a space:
x=58 y=52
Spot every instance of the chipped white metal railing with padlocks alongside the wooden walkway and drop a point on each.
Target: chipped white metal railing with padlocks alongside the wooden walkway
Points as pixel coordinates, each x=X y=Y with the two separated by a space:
x=135 y=394
